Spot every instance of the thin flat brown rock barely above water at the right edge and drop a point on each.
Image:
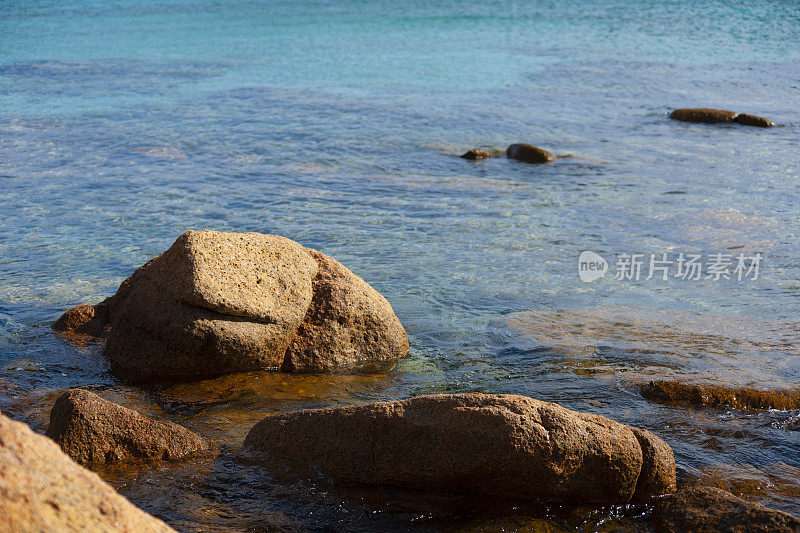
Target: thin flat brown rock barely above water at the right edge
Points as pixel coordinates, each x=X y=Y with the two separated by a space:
x=676 y=393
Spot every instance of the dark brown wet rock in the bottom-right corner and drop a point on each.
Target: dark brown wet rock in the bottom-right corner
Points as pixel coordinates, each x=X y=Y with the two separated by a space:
x=701 y=509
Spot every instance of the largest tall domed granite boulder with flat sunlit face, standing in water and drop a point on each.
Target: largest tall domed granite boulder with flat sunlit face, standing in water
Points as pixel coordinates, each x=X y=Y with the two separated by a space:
x=220 y=302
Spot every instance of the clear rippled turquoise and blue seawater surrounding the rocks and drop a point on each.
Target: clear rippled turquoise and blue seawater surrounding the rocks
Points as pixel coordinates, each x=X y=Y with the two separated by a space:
x=336 y=124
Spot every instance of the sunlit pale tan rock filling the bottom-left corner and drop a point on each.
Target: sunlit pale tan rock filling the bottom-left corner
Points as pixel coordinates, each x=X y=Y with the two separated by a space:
x=41 y=489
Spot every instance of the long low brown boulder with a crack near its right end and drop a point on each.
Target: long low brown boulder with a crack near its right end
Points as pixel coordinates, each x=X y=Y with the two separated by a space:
x=504 y=445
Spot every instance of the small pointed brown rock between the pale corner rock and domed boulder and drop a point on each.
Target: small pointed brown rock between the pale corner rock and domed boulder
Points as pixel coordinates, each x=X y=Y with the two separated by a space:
x=92 y=430
